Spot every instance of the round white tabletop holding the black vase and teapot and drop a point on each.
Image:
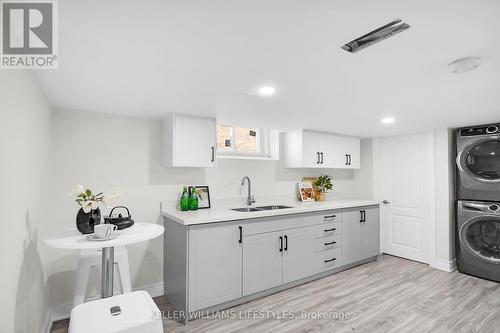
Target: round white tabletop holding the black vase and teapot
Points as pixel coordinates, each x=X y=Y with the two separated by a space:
x=72 y=239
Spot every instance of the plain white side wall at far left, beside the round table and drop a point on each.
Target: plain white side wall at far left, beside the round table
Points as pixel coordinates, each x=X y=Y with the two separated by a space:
x=24 y=151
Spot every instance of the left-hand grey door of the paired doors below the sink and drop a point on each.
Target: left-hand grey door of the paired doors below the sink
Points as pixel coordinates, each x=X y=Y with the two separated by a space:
x=262 y=262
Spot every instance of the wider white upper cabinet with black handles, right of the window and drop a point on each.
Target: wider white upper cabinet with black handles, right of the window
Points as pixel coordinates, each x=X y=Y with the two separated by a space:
x=314 y=149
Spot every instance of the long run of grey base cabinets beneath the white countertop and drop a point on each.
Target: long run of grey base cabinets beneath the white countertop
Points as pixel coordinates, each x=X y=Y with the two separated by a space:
x=219 y=264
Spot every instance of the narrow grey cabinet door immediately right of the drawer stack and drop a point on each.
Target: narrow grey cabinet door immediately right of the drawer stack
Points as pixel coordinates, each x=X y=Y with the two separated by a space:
x=352 y=240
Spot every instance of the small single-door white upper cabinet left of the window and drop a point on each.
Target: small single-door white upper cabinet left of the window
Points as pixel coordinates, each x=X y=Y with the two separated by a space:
x=189 y=141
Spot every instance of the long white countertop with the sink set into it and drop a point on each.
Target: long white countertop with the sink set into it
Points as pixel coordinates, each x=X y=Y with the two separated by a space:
x=222 y=214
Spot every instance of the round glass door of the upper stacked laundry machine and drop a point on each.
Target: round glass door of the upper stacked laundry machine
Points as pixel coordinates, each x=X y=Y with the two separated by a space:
x=482 y=160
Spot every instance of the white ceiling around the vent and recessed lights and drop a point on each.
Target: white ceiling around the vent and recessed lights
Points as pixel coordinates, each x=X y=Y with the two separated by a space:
x=148 y=58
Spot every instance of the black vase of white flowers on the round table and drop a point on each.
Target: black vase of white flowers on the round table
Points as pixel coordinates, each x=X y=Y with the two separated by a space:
x=89 y=214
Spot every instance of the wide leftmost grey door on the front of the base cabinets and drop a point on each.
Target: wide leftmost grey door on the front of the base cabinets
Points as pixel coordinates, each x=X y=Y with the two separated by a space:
x=215 y=266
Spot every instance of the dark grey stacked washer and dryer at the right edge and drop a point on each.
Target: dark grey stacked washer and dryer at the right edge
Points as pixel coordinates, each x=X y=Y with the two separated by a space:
x=478 y=204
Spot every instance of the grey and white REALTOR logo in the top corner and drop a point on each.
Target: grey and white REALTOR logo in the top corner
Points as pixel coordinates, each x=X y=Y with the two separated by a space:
x=28 y=35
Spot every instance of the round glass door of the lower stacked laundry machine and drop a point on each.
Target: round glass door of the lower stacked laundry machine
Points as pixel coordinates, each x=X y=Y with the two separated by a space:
x=481 y=236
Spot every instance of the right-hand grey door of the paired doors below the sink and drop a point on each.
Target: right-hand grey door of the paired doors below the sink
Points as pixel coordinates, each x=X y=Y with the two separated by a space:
x=299 y=255
